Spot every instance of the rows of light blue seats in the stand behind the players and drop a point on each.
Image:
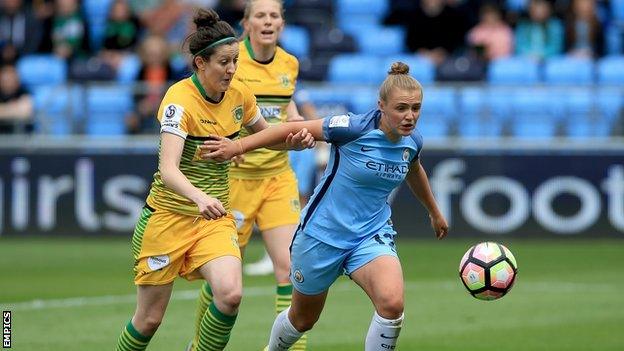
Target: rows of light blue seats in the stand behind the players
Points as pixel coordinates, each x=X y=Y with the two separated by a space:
x=345 y=51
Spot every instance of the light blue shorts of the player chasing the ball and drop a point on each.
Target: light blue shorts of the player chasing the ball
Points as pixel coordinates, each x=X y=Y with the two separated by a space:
x=315 y=265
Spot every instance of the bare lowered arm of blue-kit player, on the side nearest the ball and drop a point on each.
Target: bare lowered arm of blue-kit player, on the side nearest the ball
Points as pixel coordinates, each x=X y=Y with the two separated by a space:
x=419 y=185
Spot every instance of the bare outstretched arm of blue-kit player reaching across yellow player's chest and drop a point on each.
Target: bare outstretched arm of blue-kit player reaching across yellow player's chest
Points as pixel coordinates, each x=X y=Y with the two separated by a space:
x=221 y=149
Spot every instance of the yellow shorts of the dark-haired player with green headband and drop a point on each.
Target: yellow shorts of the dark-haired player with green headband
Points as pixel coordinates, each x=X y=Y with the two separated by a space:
x=166 y=245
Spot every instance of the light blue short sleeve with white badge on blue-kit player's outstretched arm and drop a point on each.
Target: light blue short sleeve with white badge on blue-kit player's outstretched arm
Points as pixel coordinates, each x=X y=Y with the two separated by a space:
x=342 y=129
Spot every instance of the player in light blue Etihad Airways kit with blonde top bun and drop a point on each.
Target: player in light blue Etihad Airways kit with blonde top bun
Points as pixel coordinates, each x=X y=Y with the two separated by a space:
x=346 y=226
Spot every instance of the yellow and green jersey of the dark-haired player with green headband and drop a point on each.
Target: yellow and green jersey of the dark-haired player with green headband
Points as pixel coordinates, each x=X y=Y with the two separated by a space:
x=188 y=112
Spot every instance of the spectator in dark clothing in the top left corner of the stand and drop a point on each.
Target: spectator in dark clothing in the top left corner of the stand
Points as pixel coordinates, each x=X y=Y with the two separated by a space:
x=20 y=31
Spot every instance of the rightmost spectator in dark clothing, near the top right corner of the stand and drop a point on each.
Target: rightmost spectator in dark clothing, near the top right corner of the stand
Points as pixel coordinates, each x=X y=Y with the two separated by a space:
x=583 y=31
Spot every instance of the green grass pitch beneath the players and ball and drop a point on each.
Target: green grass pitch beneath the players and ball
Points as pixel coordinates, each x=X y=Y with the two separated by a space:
x=77 y=294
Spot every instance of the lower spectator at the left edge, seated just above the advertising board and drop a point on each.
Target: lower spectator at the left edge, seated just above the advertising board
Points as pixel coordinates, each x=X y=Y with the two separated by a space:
x=16 y=105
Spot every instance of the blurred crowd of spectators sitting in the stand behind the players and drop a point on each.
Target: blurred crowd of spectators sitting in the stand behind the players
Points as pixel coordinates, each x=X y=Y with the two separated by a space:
x=474 y=31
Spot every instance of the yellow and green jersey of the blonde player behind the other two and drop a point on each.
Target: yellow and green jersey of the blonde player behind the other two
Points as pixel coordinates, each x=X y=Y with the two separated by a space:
x=273 y=84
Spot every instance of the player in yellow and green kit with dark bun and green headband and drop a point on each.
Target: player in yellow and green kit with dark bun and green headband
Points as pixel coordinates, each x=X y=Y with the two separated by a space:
x=186 y=227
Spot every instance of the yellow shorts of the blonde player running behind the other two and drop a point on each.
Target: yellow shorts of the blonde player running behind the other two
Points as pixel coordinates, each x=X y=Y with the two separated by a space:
x=271 y=202
